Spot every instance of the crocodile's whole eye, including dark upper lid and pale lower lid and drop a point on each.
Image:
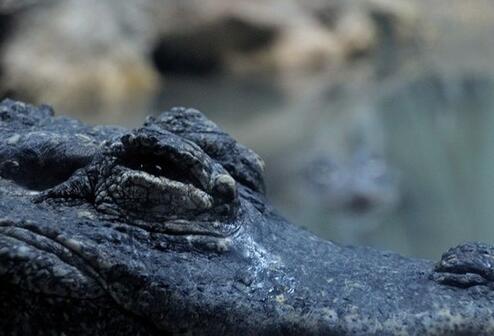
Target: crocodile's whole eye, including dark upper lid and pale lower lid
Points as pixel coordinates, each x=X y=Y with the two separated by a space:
x=156 y=176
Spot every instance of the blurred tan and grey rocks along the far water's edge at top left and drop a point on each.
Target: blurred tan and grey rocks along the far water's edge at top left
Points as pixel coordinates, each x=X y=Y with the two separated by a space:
x=126 y=44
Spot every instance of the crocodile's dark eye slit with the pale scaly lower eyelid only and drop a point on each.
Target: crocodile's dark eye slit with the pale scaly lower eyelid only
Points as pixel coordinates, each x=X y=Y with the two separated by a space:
x=138 y=186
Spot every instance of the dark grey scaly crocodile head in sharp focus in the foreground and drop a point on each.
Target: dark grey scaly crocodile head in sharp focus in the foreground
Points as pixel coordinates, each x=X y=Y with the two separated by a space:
x=166 y=230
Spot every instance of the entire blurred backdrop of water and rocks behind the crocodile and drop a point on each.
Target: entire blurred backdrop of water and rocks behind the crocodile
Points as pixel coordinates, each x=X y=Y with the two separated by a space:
x=375 y=117
